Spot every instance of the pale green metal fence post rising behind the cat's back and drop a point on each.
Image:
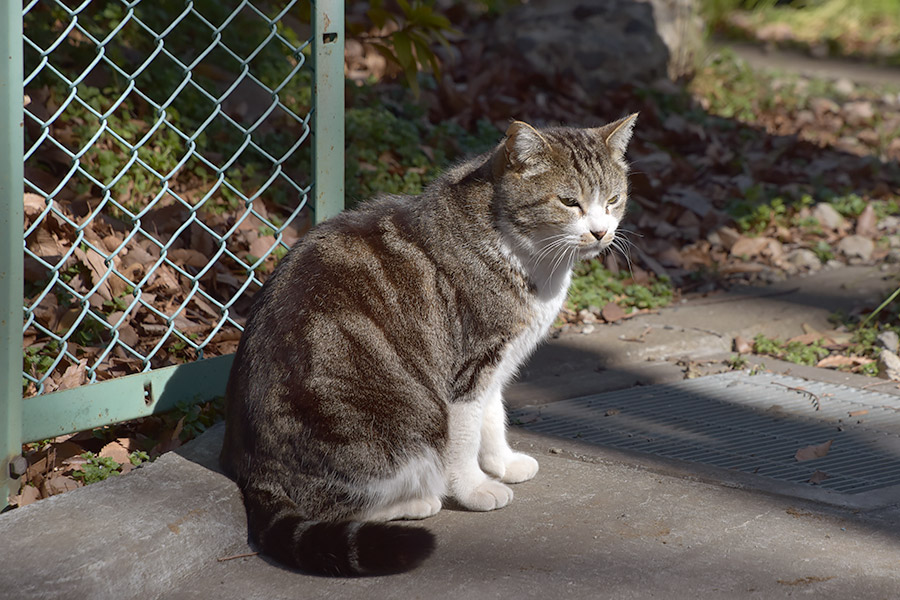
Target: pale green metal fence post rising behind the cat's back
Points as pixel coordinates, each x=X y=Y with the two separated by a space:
x=328 y=109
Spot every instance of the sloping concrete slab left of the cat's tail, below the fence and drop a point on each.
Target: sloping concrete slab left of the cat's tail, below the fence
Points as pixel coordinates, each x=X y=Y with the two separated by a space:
x=126 y=537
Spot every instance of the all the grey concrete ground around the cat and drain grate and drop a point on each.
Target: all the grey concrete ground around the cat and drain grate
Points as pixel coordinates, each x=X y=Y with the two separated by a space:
x=594 y=523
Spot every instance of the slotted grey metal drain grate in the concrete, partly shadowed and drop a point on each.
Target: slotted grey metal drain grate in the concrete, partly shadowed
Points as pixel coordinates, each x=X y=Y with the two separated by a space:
x=749 y=423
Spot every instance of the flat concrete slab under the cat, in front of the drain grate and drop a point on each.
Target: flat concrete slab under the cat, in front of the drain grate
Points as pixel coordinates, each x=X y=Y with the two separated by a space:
x=600 y=529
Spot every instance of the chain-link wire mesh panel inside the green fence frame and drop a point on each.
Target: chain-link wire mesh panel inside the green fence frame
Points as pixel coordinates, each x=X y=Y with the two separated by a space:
x=167 y=168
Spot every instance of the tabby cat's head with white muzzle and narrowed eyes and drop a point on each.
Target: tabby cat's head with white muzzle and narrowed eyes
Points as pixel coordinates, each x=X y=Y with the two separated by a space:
x=560 y=193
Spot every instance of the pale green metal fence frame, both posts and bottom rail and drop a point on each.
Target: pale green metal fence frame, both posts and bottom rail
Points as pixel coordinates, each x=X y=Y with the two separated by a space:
x=152 y=391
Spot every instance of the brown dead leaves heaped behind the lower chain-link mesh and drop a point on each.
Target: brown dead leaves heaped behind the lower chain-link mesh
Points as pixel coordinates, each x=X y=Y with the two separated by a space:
x=181 y=269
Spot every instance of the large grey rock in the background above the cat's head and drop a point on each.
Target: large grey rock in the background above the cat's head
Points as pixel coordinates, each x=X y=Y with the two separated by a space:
x=598 y=44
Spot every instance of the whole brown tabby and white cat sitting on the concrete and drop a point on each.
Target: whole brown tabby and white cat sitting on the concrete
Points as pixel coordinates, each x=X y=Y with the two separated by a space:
x=367 y=386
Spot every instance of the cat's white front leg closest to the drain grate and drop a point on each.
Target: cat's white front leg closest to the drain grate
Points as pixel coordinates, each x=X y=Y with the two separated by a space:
x=495 y=455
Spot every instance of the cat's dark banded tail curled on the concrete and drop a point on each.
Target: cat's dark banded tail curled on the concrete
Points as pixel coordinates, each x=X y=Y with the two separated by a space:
x=343 y=548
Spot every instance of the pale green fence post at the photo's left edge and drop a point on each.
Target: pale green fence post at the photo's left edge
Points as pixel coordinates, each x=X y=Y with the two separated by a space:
x=11 y=245
